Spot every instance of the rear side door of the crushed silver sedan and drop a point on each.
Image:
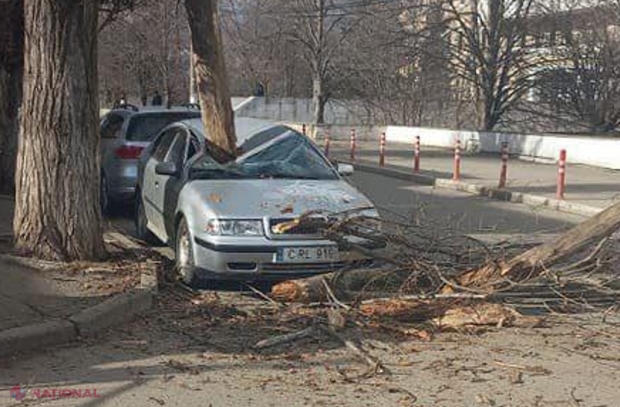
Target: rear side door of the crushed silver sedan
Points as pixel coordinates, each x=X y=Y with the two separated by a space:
x=151 y=180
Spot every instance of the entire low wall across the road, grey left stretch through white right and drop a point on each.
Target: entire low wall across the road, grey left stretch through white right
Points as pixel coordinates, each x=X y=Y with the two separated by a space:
x=600 y=152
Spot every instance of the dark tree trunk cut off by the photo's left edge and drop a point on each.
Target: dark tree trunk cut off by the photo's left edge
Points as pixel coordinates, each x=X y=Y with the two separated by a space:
x=11 y=68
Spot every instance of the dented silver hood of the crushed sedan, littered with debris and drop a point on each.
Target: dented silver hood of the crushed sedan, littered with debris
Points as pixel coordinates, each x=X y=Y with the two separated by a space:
x=257 y=198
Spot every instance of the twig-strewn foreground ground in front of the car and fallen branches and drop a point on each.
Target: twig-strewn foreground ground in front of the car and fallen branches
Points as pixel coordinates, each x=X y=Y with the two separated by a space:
x=196 y=350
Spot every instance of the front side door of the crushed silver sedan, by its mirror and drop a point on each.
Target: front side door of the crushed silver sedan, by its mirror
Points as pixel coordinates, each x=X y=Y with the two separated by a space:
x=166 y=187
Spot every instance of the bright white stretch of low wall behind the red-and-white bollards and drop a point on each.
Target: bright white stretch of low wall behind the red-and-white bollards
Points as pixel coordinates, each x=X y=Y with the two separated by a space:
x=599 y=152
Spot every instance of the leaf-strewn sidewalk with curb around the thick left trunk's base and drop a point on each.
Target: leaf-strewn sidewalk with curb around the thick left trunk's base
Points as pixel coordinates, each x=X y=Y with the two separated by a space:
x=48 y=303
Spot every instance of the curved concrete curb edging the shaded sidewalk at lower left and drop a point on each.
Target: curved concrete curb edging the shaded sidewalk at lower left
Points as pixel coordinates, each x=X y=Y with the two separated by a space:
x=87 y=323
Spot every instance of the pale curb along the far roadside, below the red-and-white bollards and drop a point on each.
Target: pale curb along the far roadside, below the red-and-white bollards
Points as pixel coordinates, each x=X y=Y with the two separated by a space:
x=480 y=190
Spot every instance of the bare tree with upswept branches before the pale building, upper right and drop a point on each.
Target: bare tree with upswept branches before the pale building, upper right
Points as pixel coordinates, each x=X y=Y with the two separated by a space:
x=488 y=56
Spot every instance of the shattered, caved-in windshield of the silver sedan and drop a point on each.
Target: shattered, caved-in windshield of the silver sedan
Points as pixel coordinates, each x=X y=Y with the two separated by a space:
x=289 y=156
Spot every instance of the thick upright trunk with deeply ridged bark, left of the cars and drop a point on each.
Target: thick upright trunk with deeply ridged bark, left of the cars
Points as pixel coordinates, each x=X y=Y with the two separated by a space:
x=57 y=213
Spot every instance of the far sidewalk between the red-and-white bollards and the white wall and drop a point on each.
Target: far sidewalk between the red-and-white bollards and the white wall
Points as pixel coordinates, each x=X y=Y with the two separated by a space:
x=589 y=186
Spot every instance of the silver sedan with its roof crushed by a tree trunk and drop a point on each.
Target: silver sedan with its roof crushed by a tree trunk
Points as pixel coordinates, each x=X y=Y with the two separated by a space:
x=233 y=221
